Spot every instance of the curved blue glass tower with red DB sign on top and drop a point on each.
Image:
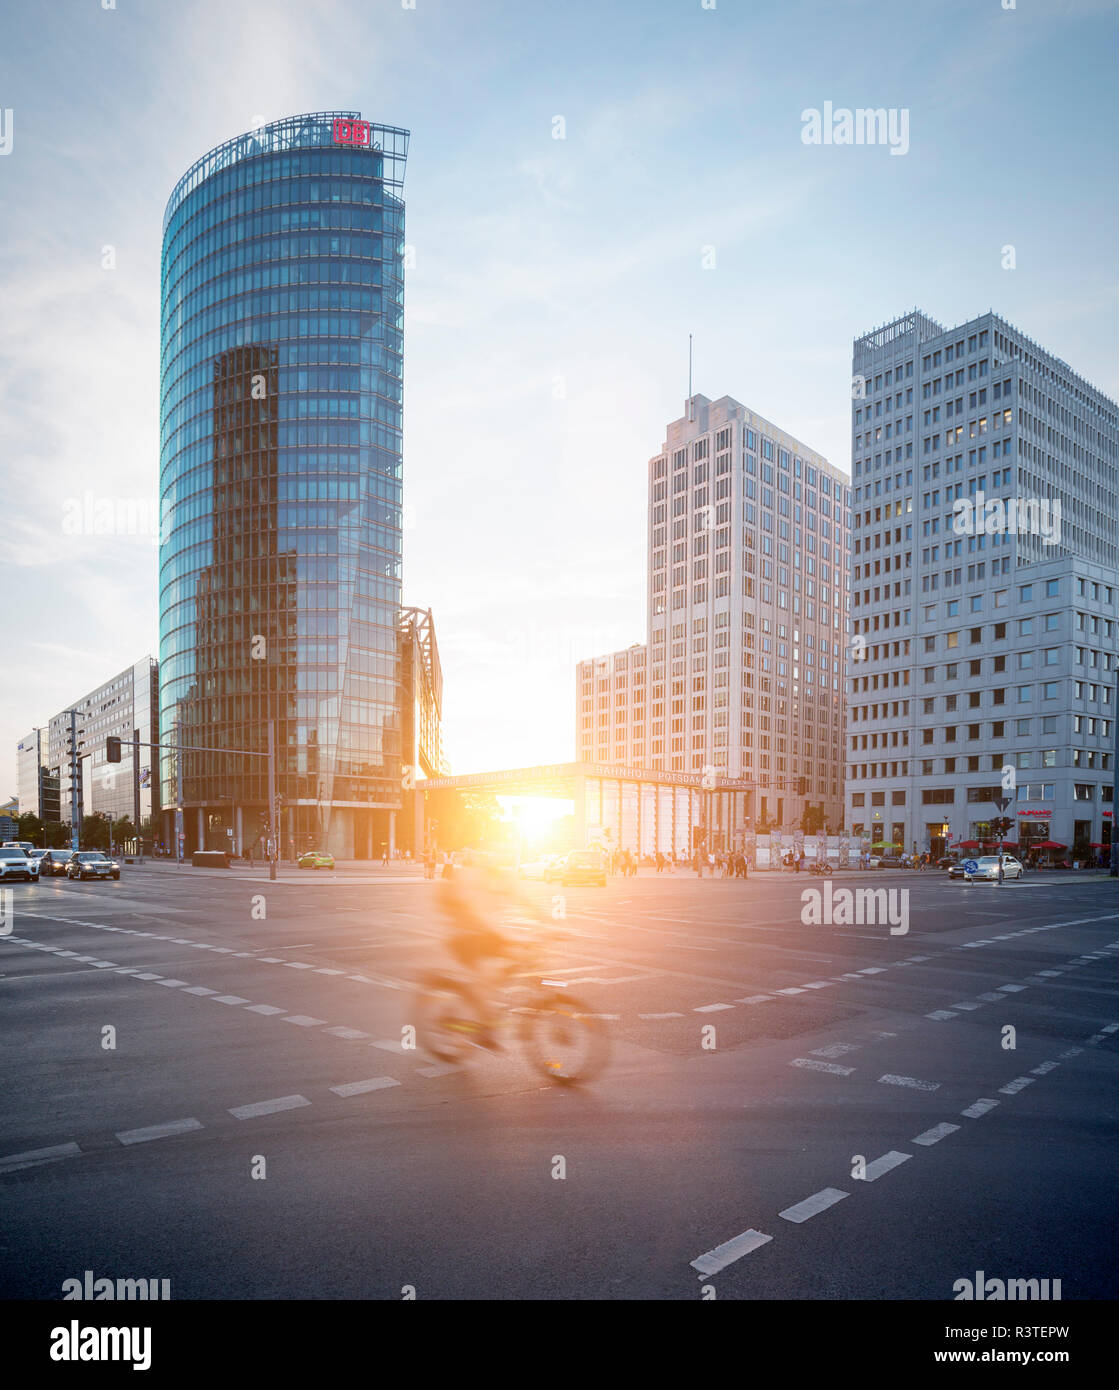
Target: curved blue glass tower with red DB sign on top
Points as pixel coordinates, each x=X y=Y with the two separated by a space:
x=280 y=482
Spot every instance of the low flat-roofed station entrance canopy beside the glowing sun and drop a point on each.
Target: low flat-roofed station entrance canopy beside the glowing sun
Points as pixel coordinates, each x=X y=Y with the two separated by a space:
x=630 y=808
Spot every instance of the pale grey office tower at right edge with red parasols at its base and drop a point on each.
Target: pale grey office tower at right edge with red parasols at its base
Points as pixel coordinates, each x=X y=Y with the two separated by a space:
x=985 y=590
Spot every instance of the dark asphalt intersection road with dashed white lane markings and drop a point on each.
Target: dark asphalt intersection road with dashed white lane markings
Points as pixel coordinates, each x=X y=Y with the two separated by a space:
x=761 y=1065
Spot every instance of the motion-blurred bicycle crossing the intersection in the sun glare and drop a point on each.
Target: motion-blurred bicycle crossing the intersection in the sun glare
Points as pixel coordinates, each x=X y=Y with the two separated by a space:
x=461 y=1013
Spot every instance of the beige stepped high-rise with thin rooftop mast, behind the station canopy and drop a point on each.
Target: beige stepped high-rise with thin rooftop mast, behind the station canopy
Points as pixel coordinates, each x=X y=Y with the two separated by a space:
x=743 y=675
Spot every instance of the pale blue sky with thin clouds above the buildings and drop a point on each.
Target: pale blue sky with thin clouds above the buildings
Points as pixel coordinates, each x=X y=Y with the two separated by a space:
x=555 y=283
